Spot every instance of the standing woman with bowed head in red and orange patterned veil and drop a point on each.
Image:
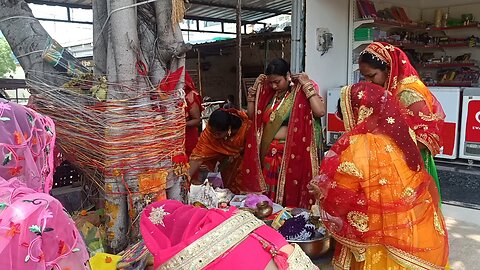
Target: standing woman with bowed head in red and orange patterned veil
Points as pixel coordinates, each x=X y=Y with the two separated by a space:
x=388 y=66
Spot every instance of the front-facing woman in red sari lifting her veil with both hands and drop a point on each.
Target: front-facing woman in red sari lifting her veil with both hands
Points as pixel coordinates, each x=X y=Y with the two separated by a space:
x=281 y=154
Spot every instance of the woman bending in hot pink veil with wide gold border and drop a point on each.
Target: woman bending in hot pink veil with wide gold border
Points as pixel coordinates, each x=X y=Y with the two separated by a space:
x=187 y=237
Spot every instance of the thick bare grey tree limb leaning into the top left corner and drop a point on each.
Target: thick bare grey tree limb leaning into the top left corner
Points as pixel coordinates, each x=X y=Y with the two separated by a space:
x=28 y=40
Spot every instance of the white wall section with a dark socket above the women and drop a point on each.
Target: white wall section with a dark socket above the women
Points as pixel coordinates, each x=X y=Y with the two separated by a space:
x=329 y=70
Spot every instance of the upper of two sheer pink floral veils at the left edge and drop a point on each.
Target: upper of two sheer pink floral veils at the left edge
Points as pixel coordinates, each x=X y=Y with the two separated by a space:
x=26 y=145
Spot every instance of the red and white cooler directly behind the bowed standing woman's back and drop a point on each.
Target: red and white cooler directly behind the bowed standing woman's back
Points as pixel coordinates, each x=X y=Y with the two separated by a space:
x=449 y=98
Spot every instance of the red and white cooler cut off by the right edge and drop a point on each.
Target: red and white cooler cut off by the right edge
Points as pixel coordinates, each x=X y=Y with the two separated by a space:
x=470 y=134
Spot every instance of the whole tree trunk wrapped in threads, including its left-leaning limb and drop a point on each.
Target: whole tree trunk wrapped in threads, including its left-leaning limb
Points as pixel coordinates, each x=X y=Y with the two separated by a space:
x=118 y=44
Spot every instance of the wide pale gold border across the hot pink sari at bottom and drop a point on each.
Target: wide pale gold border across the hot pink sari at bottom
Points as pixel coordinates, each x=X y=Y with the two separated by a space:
x=213 y=244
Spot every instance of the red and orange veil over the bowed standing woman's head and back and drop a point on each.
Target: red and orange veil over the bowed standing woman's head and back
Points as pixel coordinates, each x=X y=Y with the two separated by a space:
x=425 y=112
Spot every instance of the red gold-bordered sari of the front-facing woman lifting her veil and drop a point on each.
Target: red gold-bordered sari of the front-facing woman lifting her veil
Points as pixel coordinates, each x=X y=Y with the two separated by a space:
x=299 y=160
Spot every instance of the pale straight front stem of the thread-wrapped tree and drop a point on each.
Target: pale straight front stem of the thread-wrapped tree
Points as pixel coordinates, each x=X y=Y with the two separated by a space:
x=125 y=45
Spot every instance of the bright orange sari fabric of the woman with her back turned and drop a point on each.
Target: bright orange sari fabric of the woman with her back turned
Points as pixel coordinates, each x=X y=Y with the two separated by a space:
x=387 y=179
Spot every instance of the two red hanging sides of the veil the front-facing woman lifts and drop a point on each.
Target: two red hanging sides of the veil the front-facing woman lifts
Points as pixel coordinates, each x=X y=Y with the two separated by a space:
x=300 y=158
